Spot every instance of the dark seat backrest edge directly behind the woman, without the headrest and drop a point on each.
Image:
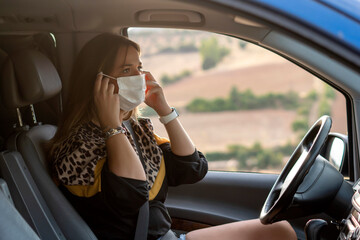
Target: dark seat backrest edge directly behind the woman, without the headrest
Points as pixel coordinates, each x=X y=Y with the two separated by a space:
x=31 y=145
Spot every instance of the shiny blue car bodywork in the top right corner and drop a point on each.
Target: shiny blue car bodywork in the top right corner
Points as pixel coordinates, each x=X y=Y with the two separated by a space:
x=332 y=25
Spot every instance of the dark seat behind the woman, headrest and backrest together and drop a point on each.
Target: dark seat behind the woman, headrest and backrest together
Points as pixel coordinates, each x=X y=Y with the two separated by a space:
x=32 y=78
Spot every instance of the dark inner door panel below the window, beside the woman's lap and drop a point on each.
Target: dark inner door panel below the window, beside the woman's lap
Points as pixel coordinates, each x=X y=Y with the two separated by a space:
x=223 y=197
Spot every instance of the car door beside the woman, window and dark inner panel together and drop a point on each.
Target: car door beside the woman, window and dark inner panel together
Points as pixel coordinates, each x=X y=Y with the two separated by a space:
x=245 y=108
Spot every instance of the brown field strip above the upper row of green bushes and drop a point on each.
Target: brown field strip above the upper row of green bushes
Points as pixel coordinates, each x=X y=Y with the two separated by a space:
x=260 y=79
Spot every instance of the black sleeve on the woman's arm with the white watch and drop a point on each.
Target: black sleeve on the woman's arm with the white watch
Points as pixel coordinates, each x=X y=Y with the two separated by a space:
x=183 y=169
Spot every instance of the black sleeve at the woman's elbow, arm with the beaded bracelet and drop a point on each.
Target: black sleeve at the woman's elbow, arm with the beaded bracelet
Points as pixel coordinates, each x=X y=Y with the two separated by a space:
x=123 y=193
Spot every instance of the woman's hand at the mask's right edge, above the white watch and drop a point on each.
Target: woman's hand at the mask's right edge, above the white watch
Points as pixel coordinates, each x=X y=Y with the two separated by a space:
x=154 y=96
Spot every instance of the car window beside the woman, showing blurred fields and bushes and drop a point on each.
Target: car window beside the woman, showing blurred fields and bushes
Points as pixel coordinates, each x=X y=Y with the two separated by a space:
x=245 y=107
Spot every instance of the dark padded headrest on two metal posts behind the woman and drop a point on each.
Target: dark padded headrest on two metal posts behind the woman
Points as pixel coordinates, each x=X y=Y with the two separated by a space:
x=28 y=77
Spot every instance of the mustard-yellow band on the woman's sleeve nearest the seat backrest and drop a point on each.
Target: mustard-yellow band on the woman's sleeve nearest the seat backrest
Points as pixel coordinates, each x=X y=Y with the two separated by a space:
x=90 y=190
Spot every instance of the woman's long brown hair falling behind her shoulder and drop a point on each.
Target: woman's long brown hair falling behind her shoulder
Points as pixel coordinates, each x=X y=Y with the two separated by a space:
x=98 y=55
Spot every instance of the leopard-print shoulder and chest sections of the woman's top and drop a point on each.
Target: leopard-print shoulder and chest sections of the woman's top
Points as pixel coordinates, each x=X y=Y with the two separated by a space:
x=76 y=158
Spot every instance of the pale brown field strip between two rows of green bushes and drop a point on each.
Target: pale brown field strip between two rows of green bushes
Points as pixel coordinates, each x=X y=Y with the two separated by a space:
x=215 y=131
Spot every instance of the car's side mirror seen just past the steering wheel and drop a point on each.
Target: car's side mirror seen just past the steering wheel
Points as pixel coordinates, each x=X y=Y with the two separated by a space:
x=335 y=151
